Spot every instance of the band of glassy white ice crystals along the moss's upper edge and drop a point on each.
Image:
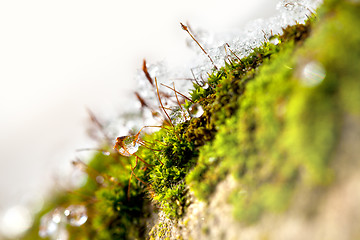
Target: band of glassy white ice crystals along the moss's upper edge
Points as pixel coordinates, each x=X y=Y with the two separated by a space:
x=241 y=42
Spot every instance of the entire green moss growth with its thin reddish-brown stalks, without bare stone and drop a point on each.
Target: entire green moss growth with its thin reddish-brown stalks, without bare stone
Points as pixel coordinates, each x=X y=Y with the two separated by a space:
x=268 y=119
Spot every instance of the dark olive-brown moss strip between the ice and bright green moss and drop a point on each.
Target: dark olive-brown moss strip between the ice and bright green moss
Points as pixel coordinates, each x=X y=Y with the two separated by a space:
x=219 y=100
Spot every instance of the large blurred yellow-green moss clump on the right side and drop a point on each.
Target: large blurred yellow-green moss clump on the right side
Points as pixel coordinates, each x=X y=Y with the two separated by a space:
x=284 y=132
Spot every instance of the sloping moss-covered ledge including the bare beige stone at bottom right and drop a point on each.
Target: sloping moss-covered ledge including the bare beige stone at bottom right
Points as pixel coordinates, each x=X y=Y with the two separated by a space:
x=273 y=156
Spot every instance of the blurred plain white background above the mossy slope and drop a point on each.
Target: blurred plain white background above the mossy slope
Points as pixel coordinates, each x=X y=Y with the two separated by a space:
x=59 y=57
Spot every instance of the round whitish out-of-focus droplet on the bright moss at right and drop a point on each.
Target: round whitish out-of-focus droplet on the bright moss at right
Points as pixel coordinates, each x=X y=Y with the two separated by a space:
x=313 y=73
